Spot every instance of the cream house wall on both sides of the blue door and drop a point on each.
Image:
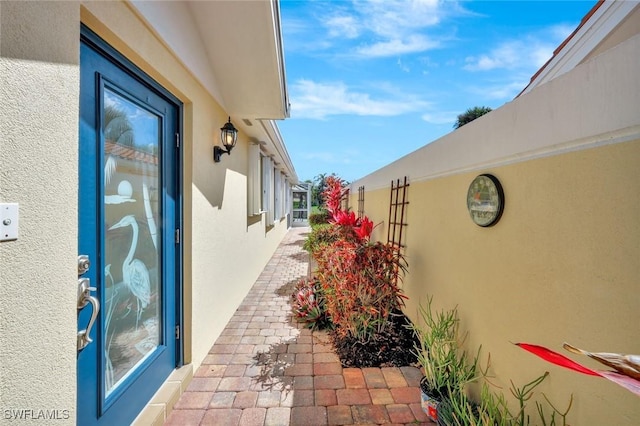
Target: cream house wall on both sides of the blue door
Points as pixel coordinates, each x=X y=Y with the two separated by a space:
x=224 y=251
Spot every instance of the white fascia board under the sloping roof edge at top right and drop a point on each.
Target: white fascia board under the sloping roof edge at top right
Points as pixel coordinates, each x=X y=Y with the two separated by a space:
x=604 y=20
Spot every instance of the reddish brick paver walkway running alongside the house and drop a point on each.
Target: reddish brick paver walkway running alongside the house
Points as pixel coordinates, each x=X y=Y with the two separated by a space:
x=265 y=369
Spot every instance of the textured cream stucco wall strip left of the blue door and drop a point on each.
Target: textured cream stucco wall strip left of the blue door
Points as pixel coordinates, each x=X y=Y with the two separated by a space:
x=39 y=82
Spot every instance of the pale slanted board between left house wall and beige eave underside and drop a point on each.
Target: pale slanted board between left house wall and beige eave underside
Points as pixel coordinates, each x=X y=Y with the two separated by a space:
x=173 y=23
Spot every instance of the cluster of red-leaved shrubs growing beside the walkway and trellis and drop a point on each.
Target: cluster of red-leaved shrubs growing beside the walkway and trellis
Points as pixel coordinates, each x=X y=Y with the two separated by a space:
x=358 y=280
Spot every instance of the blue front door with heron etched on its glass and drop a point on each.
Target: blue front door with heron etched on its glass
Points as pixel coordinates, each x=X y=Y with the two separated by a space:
x=129 y=217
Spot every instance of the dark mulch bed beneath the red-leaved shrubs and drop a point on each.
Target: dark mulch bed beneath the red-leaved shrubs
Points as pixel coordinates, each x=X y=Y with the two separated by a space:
x=393 y=347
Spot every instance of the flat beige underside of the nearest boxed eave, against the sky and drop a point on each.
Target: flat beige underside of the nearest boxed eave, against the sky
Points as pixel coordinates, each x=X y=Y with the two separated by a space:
x=243 y=45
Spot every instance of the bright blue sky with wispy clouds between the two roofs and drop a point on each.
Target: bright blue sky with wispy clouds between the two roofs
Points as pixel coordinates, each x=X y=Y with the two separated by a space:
x=373 y=80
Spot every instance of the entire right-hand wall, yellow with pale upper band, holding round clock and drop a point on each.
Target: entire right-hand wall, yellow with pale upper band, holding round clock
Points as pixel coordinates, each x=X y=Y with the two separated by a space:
x=562 y=262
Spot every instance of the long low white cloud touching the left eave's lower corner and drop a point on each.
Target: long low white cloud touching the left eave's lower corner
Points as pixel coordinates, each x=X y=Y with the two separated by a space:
x=310 y=99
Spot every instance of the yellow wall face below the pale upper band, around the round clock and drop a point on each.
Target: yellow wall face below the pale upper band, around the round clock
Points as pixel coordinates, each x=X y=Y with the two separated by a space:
x=560 y=265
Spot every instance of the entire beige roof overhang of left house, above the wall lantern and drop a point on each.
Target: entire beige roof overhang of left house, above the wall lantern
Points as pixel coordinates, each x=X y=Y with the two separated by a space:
x=234 y=48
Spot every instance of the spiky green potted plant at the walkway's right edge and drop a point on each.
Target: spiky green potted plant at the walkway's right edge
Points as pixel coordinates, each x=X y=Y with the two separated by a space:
x=445 y=365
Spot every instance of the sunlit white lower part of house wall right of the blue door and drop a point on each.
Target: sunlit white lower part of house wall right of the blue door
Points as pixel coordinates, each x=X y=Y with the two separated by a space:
x=228 y=256
